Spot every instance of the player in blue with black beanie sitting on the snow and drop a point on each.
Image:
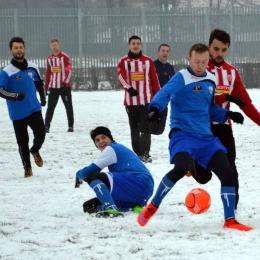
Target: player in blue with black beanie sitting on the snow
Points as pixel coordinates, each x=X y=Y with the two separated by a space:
x=128 y=184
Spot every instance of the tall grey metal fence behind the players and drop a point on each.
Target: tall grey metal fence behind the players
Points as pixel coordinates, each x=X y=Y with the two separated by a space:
x=96 y=38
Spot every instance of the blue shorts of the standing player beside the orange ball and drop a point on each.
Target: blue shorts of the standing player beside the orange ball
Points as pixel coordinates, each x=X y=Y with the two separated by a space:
x=200 y=148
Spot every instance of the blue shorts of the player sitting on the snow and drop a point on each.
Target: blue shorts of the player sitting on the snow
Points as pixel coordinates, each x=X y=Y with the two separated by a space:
x=128 y=190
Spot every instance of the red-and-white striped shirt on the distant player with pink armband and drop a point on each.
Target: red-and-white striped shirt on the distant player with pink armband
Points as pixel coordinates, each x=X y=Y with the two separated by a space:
x=58 y=71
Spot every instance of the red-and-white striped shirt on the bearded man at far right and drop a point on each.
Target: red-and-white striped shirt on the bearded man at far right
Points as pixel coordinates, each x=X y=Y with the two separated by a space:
x=229 y=82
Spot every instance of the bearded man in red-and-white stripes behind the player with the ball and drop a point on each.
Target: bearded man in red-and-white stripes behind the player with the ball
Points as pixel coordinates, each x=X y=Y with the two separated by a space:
x=229 y=89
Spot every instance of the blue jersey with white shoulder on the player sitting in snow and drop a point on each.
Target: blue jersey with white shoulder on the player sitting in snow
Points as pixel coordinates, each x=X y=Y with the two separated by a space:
x=119 y=159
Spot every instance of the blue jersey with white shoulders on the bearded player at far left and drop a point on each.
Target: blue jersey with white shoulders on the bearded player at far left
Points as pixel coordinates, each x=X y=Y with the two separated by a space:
x=15 y=80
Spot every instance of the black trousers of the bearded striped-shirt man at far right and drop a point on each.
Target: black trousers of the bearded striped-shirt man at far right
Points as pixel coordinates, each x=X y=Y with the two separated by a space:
x=225 y=135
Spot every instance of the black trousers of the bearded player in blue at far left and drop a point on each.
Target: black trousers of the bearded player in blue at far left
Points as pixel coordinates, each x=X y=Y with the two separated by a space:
x=35 y=122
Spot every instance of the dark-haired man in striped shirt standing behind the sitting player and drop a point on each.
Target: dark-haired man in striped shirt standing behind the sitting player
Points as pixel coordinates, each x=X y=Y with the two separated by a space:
x=137 y=76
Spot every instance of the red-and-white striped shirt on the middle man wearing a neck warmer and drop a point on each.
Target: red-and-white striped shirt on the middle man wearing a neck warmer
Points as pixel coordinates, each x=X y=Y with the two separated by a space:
x=140 y=74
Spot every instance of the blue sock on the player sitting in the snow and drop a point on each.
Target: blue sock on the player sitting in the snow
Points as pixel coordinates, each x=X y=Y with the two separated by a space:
x=103 y=194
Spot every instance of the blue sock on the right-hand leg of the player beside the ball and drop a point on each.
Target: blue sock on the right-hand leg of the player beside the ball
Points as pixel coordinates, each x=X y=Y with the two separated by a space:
x=228 y=197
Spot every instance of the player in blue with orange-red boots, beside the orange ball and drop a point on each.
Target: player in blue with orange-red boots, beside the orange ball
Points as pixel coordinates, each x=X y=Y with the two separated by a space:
x=191 y=93
